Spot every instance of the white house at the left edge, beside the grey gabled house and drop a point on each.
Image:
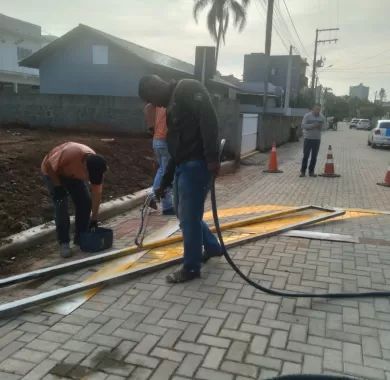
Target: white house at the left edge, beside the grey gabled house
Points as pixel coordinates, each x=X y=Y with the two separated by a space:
x=18 y=40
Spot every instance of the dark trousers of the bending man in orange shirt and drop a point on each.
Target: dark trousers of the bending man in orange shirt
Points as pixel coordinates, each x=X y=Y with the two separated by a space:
x=81 y=198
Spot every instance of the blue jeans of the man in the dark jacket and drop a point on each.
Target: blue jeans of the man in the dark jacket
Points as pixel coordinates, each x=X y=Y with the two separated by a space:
x=191 y=186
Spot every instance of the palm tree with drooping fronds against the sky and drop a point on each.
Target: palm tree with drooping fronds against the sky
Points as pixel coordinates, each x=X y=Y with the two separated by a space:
x=219 y=16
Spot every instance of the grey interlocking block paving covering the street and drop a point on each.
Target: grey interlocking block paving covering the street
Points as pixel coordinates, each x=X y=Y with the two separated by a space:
x=217 y=327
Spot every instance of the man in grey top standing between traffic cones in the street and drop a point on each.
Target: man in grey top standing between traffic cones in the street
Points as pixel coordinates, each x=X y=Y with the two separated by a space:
x=312 y=124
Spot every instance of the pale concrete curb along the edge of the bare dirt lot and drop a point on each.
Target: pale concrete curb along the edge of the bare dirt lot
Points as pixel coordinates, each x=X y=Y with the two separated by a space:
x=108 y=210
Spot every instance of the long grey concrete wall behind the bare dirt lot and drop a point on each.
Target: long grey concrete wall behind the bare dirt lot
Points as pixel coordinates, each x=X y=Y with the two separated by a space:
x=103 y=113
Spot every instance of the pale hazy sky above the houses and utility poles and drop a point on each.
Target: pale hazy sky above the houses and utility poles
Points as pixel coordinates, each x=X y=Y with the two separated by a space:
x=361 y=54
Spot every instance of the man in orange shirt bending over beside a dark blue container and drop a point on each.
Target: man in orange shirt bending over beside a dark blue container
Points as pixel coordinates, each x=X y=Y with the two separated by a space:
x=67 y=169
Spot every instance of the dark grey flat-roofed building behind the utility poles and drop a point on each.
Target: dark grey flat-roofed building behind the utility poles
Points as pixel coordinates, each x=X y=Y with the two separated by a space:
x=254 y=71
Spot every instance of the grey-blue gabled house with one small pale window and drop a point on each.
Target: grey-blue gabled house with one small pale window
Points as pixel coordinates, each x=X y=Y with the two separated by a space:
x=87 y=61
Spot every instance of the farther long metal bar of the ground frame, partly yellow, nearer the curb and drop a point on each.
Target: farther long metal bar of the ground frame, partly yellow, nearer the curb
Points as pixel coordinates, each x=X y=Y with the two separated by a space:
x=100 y=258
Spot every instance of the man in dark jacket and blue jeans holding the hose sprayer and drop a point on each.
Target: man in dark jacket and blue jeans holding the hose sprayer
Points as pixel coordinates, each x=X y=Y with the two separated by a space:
x=193 y=145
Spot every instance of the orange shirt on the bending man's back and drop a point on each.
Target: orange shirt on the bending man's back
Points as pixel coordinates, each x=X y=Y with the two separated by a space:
x=68 y=160
